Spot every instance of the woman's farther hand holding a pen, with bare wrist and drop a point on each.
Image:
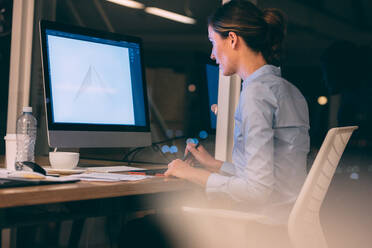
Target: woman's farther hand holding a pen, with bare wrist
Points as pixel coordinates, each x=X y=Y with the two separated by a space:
x=203 y=157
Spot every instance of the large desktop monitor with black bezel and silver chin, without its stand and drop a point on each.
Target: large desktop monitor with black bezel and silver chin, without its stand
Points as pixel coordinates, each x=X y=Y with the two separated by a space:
x=95 y=88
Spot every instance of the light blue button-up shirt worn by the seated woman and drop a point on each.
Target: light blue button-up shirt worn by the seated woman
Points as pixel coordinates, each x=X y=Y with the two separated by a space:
x=271 y=143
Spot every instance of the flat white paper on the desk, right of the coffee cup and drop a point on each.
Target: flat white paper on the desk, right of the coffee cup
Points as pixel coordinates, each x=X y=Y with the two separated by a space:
x=107 y=177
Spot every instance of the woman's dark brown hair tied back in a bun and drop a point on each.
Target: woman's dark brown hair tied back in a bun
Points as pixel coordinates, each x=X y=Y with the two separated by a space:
x=263 y=31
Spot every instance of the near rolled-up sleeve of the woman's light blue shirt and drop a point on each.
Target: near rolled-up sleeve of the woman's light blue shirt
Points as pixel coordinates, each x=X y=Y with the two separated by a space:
x=251 y=175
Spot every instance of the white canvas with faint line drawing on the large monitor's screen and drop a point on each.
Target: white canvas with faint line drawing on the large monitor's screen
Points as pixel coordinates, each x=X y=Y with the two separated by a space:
x=91 y=82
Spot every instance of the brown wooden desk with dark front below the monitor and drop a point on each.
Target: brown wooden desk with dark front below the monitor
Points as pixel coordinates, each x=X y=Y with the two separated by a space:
x=35 y=204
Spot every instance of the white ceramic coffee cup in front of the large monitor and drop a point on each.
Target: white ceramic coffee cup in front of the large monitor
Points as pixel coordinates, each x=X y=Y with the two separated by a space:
x=63 y=160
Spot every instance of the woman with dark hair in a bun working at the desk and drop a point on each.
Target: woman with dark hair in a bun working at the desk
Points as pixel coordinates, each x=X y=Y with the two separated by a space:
x=271 y=139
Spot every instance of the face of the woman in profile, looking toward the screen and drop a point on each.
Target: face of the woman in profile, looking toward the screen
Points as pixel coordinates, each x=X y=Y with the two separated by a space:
x=221 y=52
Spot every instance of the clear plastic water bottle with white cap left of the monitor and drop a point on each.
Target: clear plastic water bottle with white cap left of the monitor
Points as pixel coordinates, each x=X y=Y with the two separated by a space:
x=26 y=137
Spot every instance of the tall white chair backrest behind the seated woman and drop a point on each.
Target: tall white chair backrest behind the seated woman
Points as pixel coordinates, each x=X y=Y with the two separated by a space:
x=304 y=227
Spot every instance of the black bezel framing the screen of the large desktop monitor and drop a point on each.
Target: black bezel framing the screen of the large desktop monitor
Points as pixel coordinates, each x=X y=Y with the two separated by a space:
x=43 y=25
